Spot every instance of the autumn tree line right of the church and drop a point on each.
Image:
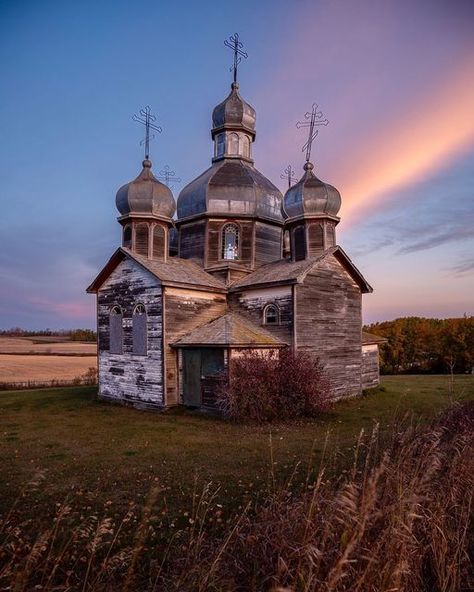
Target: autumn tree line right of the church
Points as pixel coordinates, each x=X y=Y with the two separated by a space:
x=421 y=345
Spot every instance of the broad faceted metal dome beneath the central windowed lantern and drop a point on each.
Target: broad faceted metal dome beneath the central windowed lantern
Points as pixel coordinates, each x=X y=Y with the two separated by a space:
x=231 y=188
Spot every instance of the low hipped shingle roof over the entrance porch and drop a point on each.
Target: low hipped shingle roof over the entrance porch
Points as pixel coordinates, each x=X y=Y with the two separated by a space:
x=230 y=329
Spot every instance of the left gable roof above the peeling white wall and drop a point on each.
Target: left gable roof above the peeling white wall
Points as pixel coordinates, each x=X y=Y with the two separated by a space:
x=175 y=272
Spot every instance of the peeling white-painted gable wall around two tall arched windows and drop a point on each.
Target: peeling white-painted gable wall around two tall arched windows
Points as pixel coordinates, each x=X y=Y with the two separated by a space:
x=128 y=378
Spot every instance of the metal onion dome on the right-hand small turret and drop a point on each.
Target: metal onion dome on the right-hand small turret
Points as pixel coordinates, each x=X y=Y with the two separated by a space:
x=311 y=196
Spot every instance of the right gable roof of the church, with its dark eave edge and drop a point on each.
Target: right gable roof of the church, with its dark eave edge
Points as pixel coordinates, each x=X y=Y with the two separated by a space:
x=285 y=271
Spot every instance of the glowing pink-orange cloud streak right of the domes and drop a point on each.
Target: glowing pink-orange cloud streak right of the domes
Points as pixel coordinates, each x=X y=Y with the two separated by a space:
x=434 y=130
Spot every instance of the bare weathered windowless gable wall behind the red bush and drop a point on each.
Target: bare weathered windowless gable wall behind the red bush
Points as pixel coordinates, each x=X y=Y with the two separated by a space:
x=328 y=324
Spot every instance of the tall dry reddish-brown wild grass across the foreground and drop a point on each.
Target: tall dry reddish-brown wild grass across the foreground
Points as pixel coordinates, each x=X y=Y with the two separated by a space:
x=400 y=517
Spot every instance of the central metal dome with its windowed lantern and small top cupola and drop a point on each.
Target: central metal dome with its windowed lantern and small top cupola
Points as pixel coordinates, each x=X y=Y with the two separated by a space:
x=232 y=186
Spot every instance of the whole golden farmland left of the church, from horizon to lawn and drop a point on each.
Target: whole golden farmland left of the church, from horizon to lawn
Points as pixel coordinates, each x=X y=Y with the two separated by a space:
x=25 y=359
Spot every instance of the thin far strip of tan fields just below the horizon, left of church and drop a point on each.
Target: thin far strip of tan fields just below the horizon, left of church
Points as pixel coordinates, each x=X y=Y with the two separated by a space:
x=44 y=345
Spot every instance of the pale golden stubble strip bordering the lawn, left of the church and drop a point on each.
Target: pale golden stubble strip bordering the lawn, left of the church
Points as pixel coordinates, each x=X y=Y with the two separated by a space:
x=22 y=368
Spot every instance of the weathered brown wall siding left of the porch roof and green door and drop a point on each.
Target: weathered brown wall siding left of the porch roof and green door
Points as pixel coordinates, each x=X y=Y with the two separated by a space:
x=184 y=311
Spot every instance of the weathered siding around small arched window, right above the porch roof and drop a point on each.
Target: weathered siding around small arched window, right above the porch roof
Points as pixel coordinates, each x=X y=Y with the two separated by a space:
x=251 y=304
